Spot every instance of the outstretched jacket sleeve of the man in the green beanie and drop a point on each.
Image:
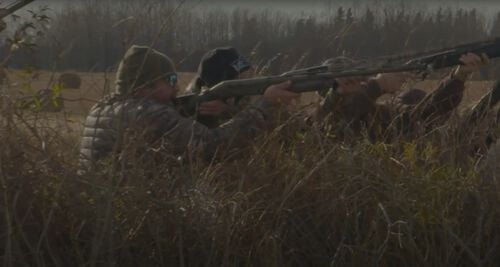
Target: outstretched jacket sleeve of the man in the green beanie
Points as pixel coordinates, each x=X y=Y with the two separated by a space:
x=187 y=134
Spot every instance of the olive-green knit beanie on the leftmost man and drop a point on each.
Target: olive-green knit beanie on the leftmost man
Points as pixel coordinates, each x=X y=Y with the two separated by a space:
x=141 y=66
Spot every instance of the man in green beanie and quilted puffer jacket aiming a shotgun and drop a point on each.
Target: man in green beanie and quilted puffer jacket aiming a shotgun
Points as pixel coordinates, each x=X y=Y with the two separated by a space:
x=146 y=84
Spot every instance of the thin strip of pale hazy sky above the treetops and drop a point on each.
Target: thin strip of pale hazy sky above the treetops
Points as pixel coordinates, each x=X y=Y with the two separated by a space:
x=488 y=8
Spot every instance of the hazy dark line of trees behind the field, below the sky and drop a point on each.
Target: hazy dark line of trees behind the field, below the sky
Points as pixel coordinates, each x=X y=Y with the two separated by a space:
x=94 y=36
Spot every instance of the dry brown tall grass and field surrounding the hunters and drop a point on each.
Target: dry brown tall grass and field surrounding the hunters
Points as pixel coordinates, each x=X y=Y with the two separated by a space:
x=294 y=197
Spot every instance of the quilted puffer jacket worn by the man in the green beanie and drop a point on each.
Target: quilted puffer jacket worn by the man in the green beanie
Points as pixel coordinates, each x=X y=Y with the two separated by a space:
x=109 y=120
